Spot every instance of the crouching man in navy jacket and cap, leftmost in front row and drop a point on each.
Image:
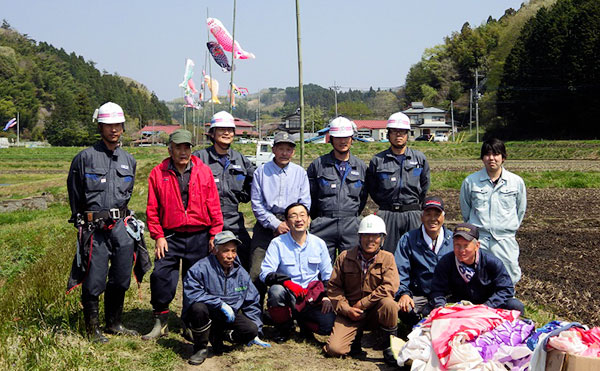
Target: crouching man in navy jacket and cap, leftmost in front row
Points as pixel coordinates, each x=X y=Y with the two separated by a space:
x=220 y=302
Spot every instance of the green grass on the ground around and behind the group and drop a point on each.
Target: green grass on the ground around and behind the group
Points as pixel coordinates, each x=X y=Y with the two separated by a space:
x=41 y=326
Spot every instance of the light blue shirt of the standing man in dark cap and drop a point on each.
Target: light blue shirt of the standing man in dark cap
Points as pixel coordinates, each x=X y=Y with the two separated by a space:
x=274 y=189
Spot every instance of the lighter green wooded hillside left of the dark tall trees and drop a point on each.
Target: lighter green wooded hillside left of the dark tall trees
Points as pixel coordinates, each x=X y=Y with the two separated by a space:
x=447 y=71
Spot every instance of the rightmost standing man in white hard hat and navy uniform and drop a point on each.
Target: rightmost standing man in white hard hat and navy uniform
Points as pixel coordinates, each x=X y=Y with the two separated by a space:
x=397 y=181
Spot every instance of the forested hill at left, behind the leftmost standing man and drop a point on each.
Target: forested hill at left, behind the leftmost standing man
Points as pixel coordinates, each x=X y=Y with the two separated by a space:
x=55 y=93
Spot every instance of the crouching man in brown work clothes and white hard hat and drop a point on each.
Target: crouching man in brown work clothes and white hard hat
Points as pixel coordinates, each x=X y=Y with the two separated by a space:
x=362 y=288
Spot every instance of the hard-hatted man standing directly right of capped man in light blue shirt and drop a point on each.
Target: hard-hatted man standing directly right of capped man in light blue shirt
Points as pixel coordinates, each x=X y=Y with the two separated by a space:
x=337 y=190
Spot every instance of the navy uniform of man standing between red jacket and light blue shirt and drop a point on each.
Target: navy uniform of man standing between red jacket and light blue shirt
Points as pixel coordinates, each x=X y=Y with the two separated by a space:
x=233 y=175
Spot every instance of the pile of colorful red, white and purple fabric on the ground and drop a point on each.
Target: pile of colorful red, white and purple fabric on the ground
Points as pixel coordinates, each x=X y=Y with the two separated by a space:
x=476 y=337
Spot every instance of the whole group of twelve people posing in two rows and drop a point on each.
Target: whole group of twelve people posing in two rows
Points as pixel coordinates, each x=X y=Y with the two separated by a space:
x=343 y=276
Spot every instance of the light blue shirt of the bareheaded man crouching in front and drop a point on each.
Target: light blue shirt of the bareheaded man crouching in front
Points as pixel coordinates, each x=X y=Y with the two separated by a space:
x=303 y=264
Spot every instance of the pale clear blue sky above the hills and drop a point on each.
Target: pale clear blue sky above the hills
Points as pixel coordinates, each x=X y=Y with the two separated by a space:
x=356 y=44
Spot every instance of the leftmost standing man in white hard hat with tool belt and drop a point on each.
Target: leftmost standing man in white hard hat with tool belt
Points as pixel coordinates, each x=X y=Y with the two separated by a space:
x=99 y=184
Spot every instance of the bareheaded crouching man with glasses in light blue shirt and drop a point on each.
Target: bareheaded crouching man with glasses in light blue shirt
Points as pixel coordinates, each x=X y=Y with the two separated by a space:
x=297 y=267
